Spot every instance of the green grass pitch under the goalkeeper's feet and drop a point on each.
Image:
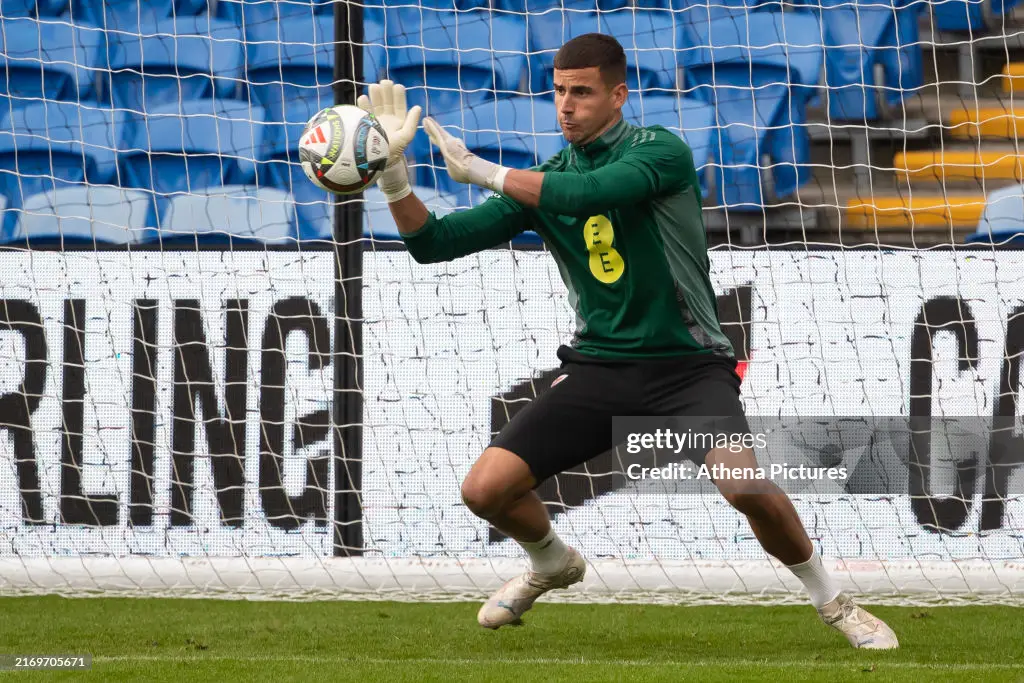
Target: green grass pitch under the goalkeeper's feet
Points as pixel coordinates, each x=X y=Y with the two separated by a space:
x=175 y=641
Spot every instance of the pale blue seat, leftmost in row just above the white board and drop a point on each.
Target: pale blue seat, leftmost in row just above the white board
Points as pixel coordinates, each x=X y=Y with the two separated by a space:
x=86 y=216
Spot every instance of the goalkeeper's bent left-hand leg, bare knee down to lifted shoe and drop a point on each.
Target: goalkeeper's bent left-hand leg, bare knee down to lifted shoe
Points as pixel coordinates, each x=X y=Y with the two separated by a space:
x=500 y=489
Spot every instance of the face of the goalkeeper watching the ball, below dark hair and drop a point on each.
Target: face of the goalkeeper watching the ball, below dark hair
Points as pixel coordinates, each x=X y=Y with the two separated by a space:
x=587 y=107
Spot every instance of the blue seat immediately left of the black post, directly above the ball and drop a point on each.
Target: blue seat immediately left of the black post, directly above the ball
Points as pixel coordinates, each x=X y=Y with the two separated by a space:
x=291 y=62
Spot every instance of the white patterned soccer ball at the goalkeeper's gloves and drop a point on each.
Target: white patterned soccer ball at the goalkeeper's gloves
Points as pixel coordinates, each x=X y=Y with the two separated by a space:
x=344 y=149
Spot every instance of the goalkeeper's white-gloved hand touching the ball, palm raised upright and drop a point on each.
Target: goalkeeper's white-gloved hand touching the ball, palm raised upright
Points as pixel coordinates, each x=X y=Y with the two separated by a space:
x=388 y=103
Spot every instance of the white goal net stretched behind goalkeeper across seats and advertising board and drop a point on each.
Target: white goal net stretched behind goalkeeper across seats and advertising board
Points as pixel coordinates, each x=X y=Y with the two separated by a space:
x=217 y=382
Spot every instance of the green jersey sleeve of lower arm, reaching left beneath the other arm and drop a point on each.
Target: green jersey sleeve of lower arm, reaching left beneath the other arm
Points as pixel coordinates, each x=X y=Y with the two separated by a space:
x=489 y=225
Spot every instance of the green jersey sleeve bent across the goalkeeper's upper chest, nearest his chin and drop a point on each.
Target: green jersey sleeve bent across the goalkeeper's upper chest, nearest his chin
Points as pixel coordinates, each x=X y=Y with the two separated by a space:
x=658 y=162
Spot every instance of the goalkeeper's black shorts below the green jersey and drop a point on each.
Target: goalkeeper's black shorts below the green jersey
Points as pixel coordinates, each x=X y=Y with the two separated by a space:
x=572 y=421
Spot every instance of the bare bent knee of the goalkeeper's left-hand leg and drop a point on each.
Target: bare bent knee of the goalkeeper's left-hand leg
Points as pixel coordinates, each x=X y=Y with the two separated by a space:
x=498 y=479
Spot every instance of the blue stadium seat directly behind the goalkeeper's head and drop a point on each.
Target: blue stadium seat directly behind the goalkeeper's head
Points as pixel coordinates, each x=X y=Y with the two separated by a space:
x=648 y=37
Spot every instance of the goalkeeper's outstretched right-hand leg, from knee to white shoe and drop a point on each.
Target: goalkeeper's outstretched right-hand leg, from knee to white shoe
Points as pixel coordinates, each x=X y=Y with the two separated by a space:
x=777 y=526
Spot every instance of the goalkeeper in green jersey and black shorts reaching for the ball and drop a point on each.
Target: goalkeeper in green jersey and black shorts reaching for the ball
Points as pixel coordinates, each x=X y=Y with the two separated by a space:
x=620 y=211
